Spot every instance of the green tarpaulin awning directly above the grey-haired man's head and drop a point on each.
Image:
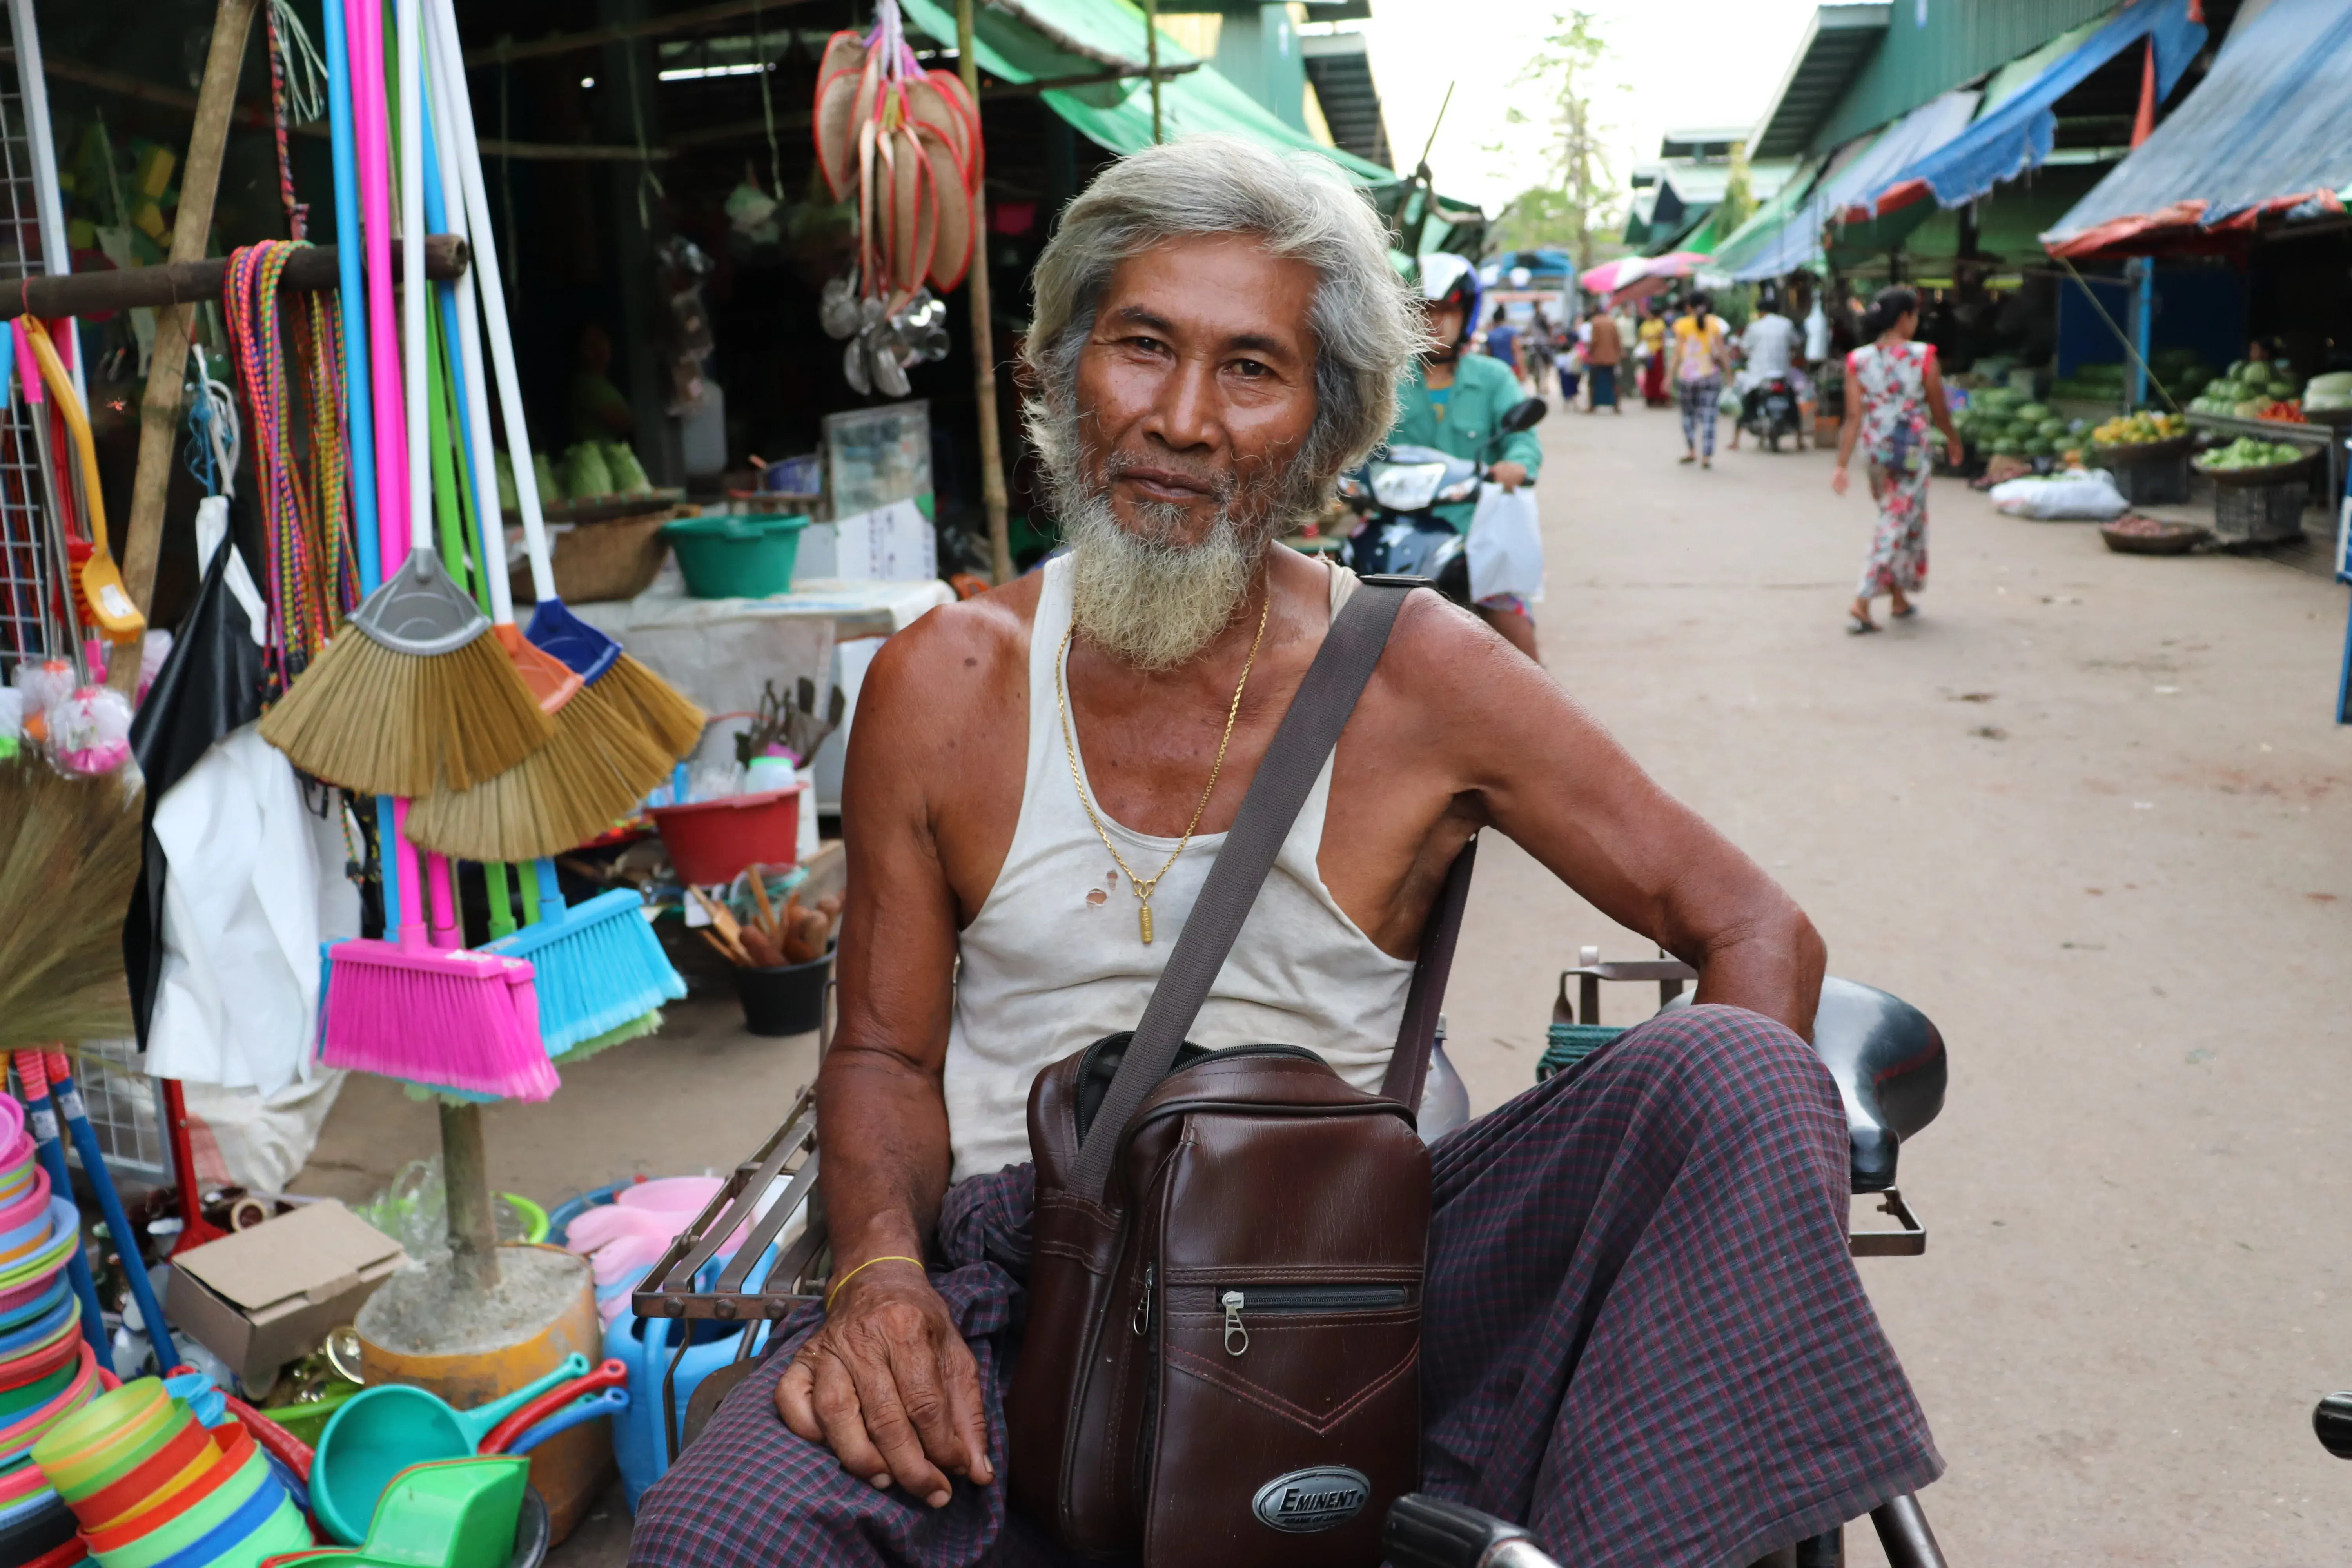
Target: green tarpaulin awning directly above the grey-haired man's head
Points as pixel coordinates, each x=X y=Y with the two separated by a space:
x=1038 y=41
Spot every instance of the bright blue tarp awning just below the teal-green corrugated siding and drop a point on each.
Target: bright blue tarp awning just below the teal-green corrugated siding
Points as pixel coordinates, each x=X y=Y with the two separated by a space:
x=2022 y=130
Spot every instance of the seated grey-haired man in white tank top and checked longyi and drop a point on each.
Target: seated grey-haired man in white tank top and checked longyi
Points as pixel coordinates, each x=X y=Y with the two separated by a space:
x=1643 y=1332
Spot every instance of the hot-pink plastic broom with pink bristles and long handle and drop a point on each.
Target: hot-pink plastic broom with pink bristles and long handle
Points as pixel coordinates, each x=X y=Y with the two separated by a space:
x=422 y=1007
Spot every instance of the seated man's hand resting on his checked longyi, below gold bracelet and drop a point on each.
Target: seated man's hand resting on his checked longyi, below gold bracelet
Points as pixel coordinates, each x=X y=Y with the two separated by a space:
x=890 y=1386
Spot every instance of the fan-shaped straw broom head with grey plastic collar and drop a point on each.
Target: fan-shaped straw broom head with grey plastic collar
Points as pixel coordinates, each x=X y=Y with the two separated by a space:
x=420 y=702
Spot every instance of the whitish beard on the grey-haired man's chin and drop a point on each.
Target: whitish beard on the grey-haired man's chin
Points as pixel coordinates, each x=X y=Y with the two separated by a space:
x=1147 y=598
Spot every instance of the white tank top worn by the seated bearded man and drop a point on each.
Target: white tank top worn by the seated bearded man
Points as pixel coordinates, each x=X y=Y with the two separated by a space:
x=1055 y=960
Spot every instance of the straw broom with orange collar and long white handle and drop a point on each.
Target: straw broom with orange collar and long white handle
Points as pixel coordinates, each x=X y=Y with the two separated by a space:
x=599 y=765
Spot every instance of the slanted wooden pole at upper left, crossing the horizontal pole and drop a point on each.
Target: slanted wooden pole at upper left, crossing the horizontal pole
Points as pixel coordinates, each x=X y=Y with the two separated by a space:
x=192 y=234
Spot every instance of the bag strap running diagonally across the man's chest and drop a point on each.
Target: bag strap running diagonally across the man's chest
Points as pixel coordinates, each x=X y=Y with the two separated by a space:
x=1309 y=732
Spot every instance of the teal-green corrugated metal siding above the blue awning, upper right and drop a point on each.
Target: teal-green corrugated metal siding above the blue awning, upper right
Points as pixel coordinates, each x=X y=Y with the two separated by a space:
x=1935 y=46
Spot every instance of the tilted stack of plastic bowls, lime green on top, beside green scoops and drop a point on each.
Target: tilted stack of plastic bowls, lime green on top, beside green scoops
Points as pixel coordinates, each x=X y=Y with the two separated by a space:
x=156 y=1489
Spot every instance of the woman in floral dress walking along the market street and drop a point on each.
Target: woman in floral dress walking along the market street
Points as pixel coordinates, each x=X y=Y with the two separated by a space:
x=1892 y=394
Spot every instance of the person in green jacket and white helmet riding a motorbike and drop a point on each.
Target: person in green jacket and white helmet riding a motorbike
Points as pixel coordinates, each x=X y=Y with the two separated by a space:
x=1452 y=403
